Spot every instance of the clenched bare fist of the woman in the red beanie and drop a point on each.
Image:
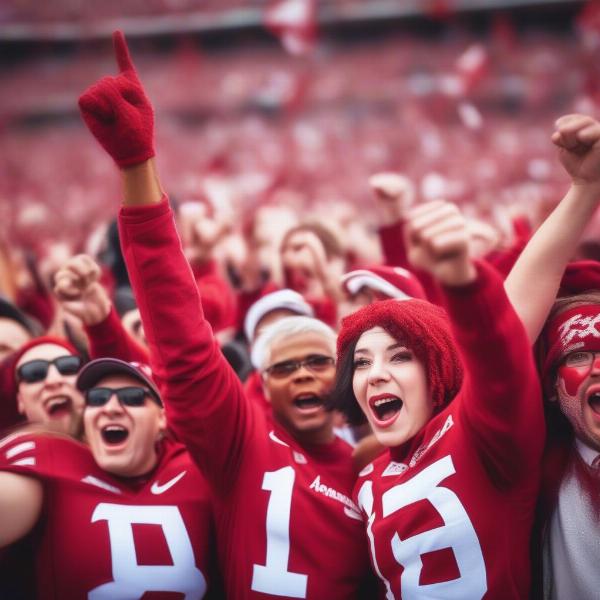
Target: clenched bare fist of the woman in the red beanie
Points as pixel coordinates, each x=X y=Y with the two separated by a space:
x=437 y=241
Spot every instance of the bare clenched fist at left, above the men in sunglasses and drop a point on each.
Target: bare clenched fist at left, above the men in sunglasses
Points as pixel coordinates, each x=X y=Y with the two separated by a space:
x=79 y=292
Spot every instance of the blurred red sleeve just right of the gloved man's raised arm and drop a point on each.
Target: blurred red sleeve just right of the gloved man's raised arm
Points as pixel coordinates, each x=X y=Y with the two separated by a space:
x=218 y=299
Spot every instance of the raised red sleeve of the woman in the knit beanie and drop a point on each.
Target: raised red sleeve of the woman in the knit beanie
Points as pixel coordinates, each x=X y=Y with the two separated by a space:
x=500 y=398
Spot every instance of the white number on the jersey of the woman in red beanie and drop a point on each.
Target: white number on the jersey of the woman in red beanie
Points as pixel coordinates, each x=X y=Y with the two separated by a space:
x=457 y=533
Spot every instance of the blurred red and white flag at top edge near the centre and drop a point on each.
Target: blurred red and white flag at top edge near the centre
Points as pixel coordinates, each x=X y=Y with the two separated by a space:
x=294 y=22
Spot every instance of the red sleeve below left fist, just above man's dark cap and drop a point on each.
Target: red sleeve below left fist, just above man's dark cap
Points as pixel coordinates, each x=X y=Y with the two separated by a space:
x=109 y=338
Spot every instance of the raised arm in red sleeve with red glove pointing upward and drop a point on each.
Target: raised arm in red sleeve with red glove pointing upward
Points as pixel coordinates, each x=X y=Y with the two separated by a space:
x=204 y=399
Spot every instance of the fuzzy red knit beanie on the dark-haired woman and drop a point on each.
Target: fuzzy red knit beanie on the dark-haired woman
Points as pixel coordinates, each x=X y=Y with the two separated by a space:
x=424 y=328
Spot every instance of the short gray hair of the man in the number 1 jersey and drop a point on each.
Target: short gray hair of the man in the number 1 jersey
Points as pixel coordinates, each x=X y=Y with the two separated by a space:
x=287 y=327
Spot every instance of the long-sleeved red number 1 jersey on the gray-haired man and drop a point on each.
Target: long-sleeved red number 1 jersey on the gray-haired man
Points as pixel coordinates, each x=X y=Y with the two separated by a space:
x=286 y=526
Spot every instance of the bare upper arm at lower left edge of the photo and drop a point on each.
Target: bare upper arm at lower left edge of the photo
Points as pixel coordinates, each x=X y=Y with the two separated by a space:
x=21 y=500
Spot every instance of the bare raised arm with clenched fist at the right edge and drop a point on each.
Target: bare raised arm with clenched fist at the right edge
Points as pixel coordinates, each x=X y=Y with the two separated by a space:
x=535 y=278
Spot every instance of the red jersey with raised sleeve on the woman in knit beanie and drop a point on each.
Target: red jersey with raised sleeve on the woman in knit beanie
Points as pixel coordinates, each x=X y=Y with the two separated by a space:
x=449 y=513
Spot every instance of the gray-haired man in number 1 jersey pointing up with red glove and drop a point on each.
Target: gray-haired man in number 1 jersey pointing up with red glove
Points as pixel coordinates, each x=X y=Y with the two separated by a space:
x=285 y=524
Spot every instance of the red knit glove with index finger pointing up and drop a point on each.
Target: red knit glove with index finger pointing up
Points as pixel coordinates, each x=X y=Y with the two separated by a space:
x=118 y=113
